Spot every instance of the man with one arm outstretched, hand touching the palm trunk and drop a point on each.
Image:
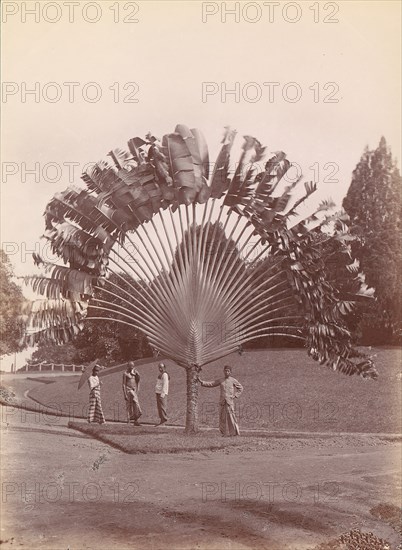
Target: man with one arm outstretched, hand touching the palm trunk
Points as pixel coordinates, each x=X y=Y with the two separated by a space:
x=230 y=390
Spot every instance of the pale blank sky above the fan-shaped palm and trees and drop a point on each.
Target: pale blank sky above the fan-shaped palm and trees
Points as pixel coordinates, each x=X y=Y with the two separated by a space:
x=167 y=56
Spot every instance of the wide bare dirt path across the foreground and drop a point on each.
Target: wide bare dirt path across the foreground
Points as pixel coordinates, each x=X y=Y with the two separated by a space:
x=62 y=490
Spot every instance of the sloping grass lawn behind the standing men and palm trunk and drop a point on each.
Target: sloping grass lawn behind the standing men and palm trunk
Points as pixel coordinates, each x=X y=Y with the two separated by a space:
x=283 y=390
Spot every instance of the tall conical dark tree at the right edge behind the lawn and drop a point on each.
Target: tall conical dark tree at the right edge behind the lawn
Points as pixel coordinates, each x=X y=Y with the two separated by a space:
x=373 y=202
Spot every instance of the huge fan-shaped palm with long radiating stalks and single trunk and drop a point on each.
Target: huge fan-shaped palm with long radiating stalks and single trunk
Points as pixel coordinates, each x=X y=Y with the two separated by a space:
x=215 y=260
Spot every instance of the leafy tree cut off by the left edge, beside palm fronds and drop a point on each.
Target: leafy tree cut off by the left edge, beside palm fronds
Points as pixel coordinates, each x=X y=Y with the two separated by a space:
x=11 y=300
